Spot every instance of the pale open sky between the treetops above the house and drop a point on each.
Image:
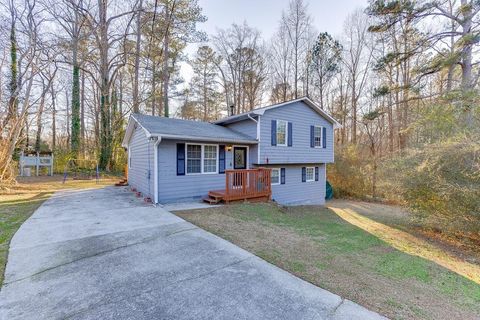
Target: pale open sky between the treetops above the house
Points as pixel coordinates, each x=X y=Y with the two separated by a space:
x=327 y=15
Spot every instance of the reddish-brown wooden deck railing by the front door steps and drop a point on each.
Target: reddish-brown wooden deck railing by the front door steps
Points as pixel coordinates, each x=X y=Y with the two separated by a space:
x=248 y=183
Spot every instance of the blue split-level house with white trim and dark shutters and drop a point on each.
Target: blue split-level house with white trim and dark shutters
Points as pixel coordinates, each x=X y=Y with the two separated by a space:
x=172 y=160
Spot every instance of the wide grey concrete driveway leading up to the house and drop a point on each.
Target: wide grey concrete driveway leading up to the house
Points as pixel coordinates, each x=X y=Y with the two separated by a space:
x=103 y=254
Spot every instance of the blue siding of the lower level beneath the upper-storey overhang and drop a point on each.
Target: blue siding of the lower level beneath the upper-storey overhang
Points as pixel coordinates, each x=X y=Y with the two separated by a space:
x=296 y=192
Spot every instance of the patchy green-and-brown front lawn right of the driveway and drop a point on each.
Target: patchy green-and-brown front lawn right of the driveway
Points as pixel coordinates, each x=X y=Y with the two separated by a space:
x=355 y=261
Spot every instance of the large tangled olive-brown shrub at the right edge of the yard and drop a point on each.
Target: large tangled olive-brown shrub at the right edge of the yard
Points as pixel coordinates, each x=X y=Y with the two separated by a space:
x=441 y=182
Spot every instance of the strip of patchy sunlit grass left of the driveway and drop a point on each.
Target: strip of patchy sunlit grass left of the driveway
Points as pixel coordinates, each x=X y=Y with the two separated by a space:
x=18 y=202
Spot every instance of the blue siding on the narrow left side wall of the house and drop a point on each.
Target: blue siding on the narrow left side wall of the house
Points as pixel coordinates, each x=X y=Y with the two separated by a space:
x=140 y=172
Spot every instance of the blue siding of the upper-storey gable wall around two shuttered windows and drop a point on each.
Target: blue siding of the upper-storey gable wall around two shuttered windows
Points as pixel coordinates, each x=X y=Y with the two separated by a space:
x=302 y=118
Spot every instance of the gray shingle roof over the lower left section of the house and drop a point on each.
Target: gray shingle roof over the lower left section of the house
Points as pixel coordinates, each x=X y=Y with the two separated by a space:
x=190 y=130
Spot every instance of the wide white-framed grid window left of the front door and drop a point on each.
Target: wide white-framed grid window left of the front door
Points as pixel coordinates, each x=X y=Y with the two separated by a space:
x=201 y=158
